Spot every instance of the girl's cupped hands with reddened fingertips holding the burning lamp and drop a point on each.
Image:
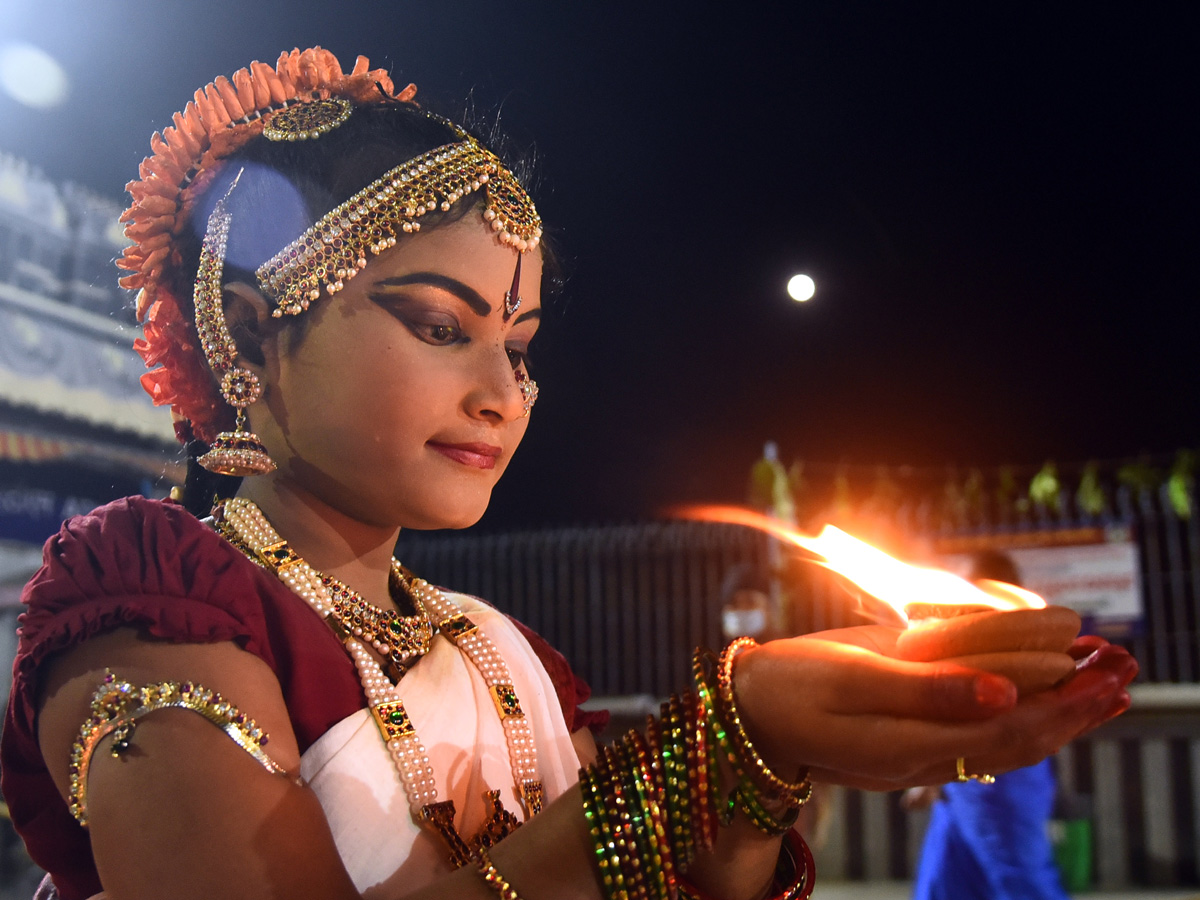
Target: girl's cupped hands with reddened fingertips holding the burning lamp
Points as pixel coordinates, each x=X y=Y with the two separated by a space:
x=859 y=717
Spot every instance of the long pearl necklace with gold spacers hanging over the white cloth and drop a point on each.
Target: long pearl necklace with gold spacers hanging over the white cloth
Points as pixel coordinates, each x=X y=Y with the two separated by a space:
x=409 y=754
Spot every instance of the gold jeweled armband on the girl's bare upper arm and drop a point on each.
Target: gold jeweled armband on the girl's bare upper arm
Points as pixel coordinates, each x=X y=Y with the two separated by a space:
x=117 y=706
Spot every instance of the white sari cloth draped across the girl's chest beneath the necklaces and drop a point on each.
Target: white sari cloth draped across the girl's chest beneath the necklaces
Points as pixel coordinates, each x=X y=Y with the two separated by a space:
x=352 y=773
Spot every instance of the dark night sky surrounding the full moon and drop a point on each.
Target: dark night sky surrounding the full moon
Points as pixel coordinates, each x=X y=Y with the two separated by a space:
x=998 y=203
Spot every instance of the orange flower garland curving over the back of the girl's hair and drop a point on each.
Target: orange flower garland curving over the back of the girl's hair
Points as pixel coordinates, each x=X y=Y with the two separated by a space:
x=220 y=119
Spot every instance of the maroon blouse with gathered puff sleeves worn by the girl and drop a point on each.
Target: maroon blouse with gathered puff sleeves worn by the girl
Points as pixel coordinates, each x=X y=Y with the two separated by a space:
x=151 y=565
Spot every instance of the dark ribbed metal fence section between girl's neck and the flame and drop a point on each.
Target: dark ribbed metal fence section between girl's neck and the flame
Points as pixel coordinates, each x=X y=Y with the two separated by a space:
x=626 y=604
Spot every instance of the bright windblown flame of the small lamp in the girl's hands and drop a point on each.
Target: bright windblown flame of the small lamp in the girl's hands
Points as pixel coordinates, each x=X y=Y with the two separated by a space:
x=898 y=585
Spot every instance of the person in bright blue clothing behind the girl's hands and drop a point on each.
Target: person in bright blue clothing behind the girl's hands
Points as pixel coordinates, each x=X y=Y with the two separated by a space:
x=989 y=842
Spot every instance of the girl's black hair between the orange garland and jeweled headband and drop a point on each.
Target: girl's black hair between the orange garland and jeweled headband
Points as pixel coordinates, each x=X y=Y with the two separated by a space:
x=284 y=189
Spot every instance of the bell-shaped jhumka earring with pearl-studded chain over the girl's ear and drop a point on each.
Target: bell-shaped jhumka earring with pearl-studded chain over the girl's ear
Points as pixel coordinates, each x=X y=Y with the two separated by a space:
x=239 y=452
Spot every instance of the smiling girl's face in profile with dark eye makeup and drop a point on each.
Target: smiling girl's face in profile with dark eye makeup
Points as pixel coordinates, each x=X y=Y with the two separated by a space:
x=399 y=404
